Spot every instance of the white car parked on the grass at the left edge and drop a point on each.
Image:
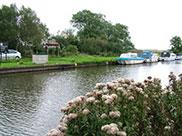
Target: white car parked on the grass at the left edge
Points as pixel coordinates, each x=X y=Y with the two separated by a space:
x=11 y=54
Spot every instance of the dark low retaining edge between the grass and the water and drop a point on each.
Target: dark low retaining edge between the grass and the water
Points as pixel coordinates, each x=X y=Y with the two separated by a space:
x=14 y=70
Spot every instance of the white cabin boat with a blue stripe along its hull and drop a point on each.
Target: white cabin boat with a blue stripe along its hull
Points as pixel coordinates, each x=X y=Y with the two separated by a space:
x=129 y=58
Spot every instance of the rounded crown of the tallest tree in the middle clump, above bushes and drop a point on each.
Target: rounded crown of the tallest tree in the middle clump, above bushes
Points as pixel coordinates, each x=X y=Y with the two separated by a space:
x=89 y=25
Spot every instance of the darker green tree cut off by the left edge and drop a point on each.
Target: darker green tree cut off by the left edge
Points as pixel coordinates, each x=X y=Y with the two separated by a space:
x=9 y=29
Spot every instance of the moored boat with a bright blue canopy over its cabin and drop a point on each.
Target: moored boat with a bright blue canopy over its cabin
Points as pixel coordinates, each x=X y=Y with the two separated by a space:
x=149 y=56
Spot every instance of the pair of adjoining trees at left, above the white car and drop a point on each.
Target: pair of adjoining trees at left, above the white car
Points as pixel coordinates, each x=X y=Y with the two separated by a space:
x=21 y=27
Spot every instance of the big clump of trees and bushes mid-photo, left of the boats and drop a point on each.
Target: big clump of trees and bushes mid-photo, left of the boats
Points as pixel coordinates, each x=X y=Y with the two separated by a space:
x=97 y=35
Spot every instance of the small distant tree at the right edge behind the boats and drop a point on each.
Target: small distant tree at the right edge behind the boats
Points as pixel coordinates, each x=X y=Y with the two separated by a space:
x=176 y=44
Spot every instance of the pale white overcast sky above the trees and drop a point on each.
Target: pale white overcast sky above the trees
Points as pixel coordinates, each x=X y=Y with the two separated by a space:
x=151 y=23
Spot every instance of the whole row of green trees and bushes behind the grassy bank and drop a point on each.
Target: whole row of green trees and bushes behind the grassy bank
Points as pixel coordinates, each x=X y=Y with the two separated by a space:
x=92 y=33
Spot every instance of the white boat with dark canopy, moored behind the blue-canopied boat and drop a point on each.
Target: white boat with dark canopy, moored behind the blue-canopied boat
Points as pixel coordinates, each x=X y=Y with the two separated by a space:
x=167 y=56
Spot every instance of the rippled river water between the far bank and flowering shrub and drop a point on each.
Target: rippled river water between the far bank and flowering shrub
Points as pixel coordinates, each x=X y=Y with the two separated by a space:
x=30 y=103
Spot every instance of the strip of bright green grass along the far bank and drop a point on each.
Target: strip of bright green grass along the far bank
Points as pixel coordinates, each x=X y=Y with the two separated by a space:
x=57 y=60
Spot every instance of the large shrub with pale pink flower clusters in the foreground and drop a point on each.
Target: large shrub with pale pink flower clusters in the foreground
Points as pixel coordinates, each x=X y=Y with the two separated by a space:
x=125 y=108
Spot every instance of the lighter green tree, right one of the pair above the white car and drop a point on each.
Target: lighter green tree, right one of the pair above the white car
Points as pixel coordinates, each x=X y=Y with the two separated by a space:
x=32 y=31
